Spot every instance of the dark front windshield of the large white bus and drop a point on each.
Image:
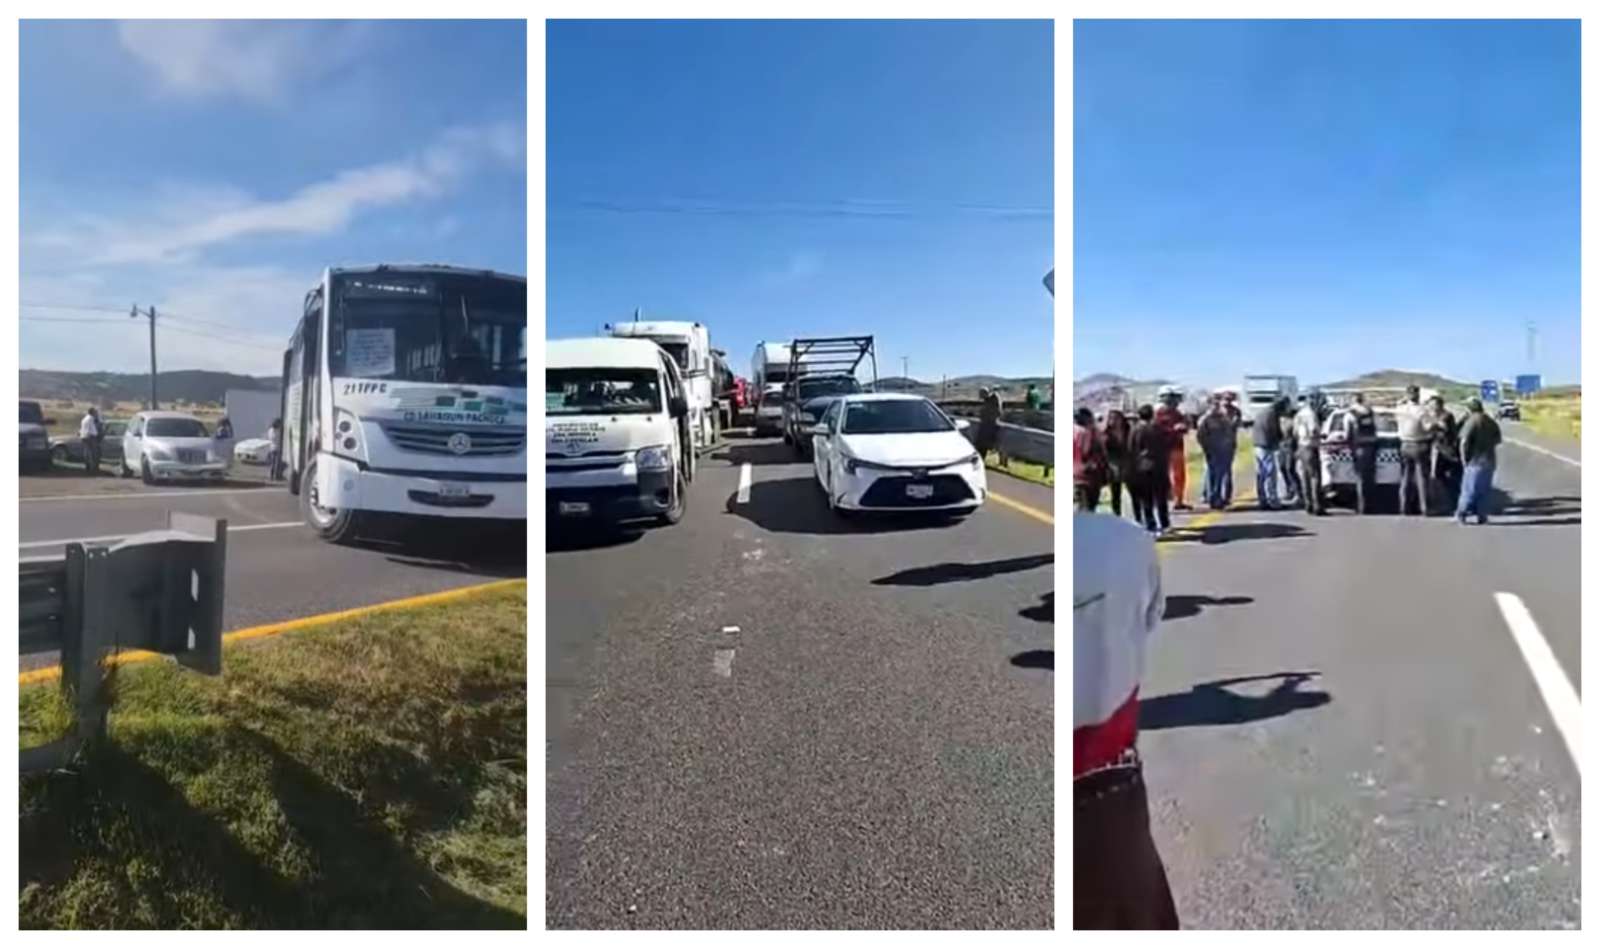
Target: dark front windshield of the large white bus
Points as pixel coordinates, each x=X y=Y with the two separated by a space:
x=430 y=329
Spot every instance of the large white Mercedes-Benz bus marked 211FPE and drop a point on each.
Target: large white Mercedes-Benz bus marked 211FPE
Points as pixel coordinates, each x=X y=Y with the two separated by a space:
x=406 y=394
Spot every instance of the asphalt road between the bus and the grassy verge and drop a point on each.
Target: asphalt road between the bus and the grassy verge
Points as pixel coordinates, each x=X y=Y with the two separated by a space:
x=278 y=569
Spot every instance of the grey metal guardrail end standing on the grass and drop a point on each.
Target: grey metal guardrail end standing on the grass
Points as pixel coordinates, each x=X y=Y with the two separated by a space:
x=159 y=591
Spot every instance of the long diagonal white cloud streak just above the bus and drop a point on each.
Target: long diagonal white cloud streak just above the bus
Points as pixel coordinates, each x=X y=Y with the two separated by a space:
x=186 y=220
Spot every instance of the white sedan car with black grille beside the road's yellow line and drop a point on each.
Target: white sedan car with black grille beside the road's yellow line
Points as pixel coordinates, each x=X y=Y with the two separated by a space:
x=894 y=452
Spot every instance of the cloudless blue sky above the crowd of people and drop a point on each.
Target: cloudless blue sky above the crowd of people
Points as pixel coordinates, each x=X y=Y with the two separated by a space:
x=1326 y=199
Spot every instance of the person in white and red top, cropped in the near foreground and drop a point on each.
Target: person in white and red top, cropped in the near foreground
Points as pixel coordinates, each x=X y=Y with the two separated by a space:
x=1118 y=606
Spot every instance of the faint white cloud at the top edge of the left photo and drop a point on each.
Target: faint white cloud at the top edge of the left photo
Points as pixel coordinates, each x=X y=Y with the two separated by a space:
x=255 y=60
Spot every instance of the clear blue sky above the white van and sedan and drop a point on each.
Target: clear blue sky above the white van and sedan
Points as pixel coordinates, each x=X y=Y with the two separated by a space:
x=780 y=180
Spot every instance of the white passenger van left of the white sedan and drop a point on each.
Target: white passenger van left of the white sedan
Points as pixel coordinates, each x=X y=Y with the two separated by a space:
x=617 y=433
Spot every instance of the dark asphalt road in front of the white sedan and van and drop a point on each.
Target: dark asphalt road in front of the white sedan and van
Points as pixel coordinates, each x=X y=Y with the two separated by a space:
x=766 y=718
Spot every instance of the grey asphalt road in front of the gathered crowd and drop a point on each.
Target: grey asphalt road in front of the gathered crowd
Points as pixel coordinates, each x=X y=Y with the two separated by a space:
x=1391 y=763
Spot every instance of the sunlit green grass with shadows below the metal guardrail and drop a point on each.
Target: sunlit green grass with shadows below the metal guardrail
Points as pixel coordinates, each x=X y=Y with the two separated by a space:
x=362 y=775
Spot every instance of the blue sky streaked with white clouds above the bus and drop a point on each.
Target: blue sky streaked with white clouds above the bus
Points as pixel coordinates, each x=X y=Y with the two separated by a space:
x=215 y=169
